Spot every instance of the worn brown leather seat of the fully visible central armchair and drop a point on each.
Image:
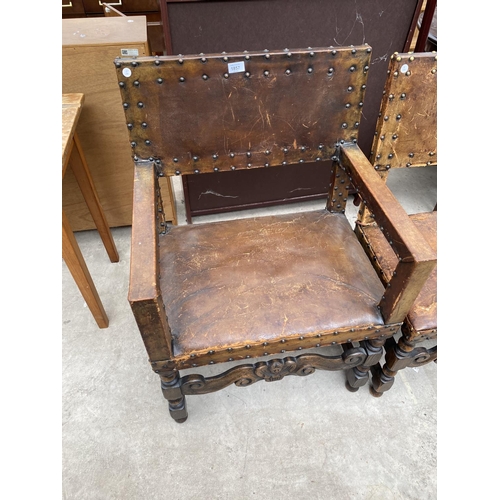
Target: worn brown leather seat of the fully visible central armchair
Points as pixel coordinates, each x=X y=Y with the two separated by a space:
x=252 y=280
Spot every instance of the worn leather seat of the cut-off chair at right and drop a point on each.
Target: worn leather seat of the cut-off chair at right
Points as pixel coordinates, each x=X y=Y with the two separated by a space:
x=423 y=314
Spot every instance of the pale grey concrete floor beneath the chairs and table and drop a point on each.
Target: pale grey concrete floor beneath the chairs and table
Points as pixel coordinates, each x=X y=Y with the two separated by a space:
x=302 y=438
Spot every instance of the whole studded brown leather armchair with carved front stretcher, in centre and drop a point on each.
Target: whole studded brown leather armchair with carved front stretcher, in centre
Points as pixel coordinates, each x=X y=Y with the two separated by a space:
x=259 y=291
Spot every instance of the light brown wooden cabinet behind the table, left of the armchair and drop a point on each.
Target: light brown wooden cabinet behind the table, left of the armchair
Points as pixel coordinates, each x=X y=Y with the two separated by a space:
x=89 y=48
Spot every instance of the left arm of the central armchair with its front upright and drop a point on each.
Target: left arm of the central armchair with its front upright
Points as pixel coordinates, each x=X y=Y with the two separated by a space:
x=144 y=290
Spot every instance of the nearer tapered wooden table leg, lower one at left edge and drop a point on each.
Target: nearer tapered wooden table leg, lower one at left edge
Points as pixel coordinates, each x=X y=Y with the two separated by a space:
x=73 y=257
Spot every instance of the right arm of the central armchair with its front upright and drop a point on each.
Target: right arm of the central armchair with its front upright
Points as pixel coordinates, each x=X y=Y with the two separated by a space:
x=416 y=258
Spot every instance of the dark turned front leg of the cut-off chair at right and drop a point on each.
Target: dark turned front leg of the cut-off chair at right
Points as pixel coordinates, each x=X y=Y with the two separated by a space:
x=397 y=356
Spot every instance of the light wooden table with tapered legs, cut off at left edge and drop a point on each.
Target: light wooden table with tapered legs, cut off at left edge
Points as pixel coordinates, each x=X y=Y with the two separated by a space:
x=72 y=155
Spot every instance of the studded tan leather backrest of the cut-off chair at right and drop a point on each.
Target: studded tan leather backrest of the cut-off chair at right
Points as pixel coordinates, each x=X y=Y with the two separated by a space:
x=406 y=133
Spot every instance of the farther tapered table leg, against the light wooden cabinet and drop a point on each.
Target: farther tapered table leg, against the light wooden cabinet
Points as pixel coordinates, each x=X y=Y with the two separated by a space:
x=82 y=173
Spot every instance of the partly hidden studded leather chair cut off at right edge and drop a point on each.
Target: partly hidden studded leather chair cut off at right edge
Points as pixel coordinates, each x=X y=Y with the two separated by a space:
x=406 y=136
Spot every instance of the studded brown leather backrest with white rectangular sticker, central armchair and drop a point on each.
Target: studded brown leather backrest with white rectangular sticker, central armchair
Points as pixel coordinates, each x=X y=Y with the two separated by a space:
x=223 y=112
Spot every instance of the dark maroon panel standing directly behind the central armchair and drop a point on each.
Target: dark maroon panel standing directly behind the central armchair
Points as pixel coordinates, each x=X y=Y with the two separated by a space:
x=194 y=26
